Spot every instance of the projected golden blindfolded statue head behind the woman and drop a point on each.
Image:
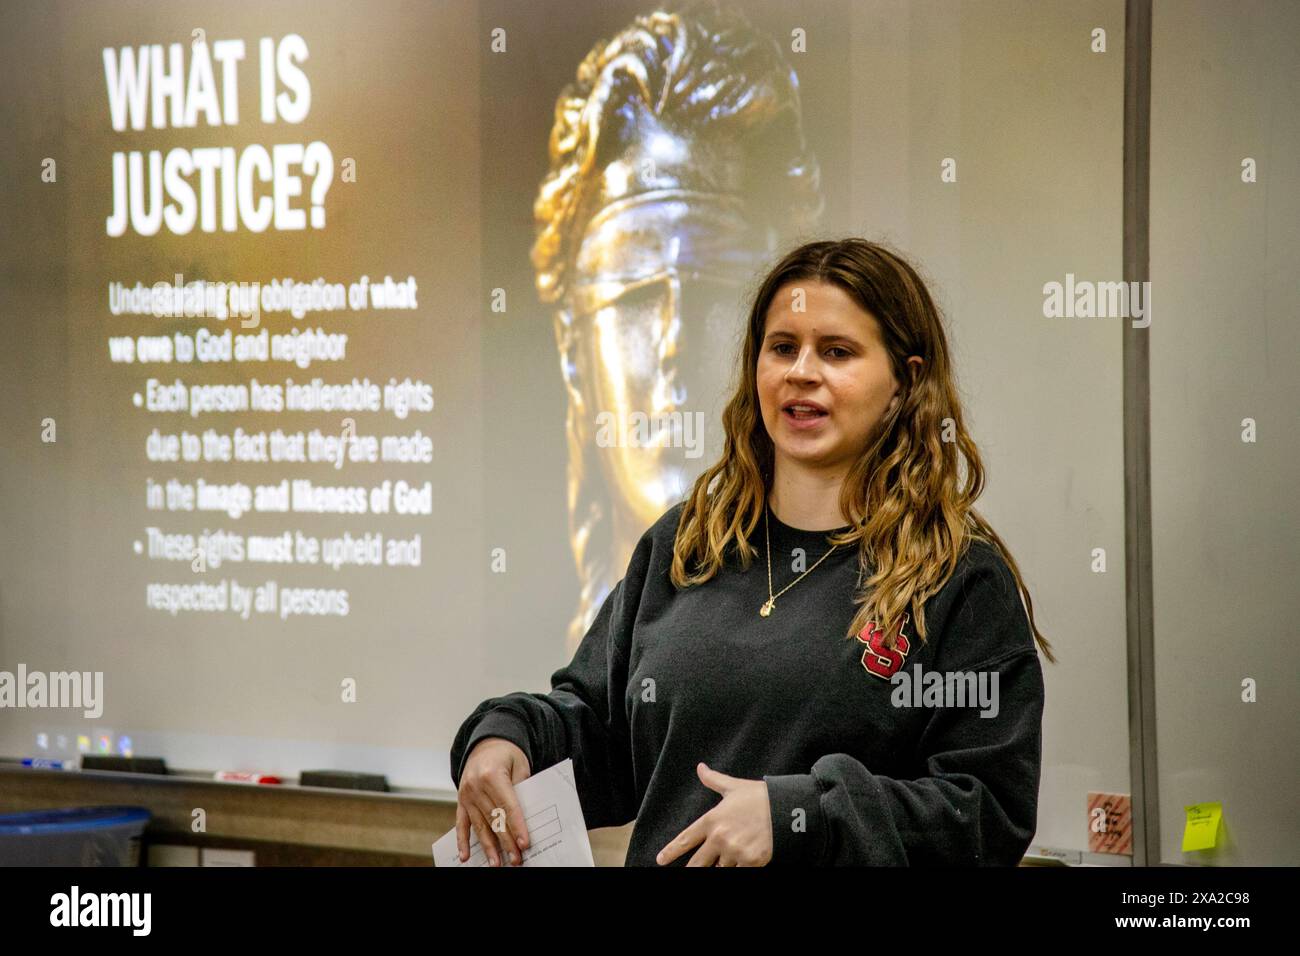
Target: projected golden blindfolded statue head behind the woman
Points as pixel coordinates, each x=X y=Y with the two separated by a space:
x=678 y=168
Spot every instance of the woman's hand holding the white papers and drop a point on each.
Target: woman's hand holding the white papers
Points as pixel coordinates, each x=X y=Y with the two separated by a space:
x=487 y=786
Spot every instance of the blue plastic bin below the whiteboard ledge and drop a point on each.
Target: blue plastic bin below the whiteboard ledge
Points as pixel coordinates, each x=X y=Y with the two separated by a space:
x=75 y=837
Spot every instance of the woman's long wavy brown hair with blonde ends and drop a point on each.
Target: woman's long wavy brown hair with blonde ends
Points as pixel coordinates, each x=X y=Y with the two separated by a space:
x=908 y=498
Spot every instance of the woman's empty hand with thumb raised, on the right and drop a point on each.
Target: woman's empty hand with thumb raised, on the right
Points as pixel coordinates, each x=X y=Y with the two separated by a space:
x=736 y=833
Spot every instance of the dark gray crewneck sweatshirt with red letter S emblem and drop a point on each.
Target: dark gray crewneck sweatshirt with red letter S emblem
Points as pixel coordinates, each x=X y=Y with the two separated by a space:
x=872 y=756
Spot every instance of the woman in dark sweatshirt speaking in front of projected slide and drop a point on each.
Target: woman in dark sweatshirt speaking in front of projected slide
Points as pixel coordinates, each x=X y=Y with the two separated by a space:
x=859 y=686
